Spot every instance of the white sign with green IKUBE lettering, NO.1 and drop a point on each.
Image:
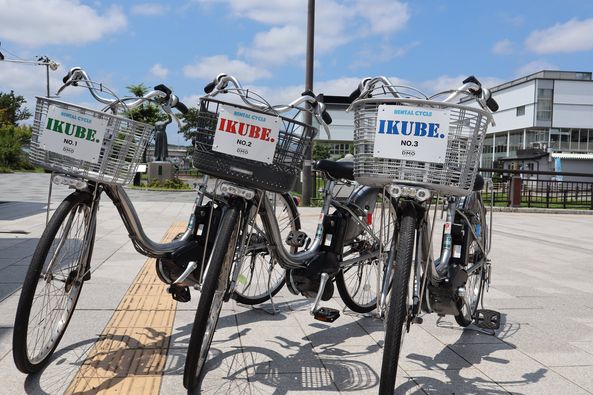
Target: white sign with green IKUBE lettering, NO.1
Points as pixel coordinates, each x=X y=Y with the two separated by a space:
x=73 y=134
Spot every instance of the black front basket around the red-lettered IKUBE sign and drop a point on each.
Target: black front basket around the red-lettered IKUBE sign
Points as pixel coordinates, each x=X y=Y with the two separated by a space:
x=279 y=176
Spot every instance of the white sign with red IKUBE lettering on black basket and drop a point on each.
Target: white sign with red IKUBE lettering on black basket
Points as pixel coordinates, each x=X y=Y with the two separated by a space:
x=246 y=134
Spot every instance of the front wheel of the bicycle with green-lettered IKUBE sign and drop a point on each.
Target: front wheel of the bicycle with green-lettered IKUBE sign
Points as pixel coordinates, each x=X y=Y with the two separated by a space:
x=53 y=283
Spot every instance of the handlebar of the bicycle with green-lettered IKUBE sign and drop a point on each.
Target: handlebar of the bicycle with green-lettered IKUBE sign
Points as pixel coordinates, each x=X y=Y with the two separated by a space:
x=161 y=95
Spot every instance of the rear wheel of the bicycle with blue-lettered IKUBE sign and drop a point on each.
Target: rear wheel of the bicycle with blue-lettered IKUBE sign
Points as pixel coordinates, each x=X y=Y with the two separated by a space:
x=474 y=286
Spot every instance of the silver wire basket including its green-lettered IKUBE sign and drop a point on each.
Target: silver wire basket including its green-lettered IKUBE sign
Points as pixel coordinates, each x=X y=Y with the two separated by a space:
x=87 y=143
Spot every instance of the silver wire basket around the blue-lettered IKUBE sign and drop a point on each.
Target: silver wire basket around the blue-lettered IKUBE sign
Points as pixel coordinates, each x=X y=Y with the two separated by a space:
x=467 y=129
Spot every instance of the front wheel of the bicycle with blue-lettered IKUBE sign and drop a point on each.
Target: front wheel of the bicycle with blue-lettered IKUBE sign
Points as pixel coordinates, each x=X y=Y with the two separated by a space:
x=399 y=300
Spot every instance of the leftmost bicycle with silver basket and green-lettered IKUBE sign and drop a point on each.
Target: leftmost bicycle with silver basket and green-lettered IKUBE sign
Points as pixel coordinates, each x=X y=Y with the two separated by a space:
x=93 y=152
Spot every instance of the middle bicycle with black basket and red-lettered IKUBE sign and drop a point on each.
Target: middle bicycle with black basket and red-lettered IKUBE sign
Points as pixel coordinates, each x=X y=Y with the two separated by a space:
x=255 y=149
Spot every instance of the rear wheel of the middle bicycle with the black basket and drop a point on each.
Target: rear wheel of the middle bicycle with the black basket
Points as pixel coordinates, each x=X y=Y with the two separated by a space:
x=358 y=284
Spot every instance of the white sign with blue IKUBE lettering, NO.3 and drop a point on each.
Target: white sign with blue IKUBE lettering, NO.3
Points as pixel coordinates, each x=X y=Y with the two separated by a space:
x=411 y=133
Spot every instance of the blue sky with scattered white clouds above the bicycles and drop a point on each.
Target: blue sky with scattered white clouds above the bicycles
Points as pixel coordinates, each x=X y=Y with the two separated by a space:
x=430 y=44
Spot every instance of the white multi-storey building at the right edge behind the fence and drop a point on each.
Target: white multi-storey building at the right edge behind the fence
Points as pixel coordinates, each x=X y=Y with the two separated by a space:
x=545 y=122
